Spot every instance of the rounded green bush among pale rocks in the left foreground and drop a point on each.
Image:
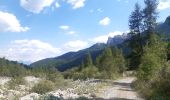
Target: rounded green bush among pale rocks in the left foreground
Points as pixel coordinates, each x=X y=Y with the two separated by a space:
x=43 y=87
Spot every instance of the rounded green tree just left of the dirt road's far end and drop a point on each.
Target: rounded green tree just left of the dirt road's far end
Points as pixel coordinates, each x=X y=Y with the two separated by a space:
x=111 y=63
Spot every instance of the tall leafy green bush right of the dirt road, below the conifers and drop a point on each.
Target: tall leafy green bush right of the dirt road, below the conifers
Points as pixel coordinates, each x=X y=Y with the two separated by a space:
x=153 y=60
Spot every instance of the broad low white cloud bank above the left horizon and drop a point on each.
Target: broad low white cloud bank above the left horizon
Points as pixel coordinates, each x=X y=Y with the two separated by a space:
x=29 y=50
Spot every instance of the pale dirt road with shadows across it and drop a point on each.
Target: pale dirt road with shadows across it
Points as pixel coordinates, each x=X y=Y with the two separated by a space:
x=120 y=90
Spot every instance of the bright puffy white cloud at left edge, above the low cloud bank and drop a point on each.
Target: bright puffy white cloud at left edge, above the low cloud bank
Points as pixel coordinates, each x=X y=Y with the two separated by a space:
x=9 y=23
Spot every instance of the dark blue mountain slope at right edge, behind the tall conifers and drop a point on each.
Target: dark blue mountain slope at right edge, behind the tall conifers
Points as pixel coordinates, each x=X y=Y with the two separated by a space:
x=164 y=28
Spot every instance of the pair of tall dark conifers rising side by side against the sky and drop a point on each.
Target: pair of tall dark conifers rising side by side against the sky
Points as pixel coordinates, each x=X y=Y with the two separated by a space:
x=141 y=21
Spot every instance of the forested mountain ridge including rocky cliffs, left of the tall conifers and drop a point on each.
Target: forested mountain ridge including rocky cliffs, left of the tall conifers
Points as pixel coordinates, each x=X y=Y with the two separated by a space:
x=74 y=59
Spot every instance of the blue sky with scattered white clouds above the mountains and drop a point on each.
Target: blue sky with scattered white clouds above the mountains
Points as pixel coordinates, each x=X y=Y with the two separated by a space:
x=36 y=29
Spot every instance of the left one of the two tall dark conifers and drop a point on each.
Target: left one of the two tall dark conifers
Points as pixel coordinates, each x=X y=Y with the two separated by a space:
x=135 y=43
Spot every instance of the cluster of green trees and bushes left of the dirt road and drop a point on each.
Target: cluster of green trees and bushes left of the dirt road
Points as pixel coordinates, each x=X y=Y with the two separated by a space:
x=109 y=65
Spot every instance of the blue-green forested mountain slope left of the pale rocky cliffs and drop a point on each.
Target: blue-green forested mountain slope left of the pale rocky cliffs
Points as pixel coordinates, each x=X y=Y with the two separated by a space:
x=70 y=59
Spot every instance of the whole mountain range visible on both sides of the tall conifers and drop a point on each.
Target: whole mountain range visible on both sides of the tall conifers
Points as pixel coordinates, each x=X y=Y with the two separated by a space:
x=74 y=59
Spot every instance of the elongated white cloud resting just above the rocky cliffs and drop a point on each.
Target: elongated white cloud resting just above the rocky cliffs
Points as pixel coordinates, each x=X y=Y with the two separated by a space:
x=104 y=38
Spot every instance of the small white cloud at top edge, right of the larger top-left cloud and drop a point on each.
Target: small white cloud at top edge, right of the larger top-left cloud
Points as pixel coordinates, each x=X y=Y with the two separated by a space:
x=76 y=3
